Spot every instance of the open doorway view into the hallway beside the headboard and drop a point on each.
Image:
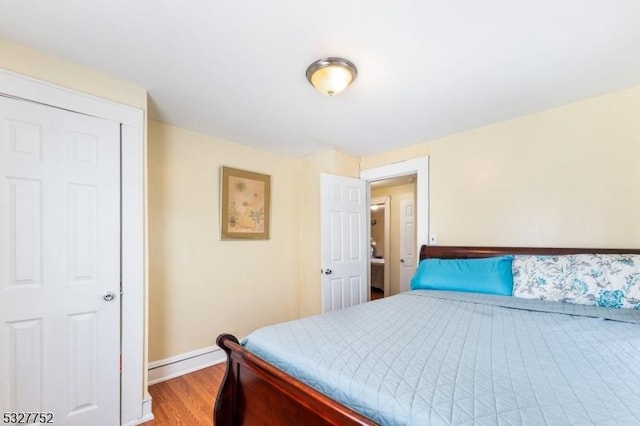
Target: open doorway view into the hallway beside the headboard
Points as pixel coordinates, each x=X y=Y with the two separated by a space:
x=392 y=236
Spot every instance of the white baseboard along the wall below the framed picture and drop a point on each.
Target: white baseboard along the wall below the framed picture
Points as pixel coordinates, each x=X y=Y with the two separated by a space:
x=178 y=365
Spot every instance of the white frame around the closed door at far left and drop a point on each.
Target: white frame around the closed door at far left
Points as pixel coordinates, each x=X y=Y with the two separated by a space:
x=133 y=310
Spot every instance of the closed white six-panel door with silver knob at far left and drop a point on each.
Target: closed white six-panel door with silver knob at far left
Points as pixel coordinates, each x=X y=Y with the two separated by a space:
x=59 y=264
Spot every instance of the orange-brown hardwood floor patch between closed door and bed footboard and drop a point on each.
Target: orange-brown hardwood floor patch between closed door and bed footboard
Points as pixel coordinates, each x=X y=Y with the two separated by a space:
x=186 y=400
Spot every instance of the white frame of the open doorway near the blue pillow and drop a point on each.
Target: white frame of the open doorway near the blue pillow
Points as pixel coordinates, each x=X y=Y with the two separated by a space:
x=420 y=167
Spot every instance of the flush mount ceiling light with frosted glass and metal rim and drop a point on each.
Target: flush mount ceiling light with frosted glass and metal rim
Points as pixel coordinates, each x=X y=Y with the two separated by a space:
x=331 y=76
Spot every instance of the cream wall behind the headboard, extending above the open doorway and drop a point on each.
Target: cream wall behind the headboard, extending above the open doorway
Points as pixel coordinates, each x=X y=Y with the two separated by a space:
x=569 y=176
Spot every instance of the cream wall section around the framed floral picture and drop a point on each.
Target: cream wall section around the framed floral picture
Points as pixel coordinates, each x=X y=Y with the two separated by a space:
x=201 y=286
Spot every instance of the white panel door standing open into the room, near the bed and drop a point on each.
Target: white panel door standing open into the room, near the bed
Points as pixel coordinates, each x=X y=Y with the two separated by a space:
x=345 y=256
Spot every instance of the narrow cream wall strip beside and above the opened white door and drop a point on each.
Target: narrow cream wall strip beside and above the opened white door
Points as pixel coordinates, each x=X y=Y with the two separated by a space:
x=309 y=278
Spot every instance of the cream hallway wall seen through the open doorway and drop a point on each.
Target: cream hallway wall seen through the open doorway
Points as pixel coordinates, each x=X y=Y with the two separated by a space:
x=396 y=193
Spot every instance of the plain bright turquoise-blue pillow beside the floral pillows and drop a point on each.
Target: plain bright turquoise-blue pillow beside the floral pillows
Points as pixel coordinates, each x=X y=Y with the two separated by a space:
x=491 y=275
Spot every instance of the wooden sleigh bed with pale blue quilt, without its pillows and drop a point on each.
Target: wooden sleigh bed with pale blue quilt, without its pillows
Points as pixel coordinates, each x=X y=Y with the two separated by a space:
x=472 y=359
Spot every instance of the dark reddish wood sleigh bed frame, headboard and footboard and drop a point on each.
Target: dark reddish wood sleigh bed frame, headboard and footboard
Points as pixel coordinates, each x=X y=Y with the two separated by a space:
x=254 y=392
